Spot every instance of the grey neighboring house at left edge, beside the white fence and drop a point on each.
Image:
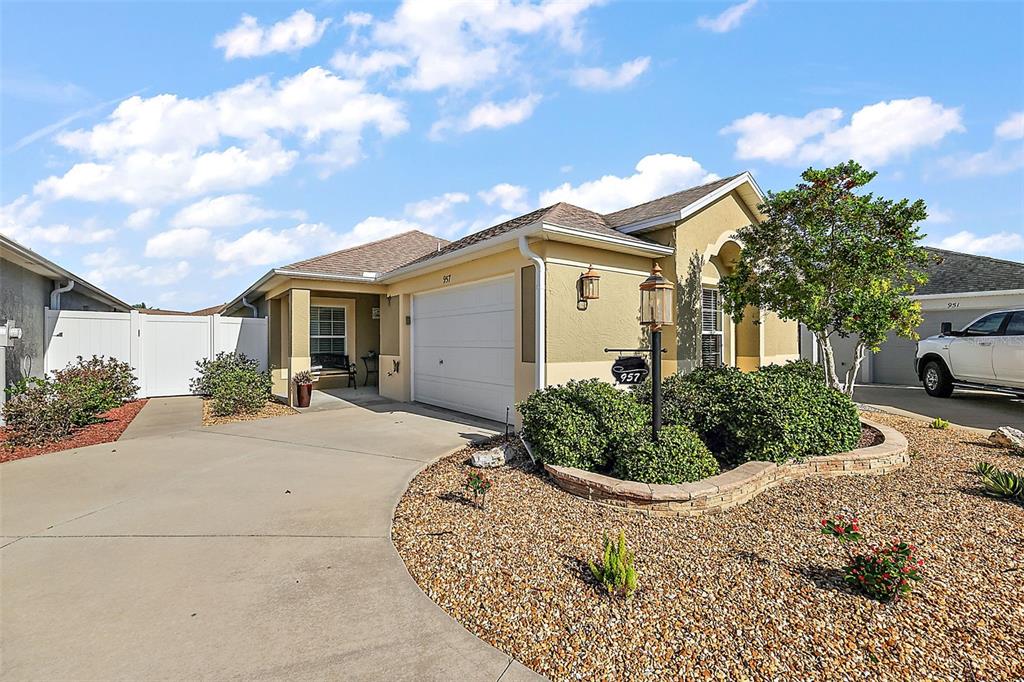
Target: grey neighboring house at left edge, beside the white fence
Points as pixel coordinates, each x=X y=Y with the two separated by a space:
x=29 y=284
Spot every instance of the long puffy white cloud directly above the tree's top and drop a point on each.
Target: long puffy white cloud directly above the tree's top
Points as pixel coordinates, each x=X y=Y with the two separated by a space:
x=876 y=135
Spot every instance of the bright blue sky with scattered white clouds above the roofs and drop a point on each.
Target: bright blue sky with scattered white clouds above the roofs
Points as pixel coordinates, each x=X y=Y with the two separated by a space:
x=174 y=153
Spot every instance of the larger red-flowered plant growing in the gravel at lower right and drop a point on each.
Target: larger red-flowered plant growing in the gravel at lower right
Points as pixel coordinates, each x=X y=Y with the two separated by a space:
x=886 y=572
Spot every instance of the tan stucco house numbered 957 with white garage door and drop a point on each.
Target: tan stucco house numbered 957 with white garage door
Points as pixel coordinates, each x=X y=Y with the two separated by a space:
x=479 y=324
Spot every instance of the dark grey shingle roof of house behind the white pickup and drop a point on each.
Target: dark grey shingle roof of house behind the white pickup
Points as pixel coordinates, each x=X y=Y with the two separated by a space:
x=959 y=273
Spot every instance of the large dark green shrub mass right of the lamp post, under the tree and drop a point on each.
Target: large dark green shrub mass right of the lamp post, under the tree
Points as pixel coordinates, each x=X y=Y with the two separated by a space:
x=776 y=414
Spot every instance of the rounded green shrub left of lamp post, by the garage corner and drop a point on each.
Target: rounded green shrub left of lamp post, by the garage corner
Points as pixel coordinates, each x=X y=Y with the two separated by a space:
x=581 y=423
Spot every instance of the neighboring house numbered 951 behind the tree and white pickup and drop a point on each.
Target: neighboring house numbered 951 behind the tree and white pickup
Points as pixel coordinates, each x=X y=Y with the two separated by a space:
x=961 y=288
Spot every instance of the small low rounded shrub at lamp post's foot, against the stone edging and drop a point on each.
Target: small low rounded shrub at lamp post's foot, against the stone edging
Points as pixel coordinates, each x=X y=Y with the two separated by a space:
x=678 y=457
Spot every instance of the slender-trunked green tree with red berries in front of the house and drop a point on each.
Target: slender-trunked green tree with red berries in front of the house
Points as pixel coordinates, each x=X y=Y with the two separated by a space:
x=839 y=262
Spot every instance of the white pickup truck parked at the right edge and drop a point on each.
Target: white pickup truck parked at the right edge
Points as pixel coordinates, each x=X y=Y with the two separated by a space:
x=987 y=354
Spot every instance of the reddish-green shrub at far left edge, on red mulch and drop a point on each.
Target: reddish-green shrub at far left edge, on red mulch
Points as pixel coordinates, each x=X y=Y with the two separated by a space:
x=35 y=414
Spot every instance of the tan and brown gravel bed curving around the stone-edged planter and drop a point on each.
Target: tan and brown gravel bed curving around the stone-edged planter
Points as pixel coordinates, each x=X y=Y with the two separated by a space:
x=755 y=593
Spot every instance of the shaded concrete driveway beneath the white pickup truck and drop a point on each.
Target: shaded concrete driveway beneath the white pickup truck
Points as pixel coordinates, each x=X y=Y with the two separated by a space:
x=983 y=410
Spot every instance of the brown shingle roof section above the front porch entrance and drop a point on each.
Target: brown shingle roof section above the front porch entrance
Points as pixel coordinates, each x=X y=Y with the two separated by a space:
x=380 y=257
